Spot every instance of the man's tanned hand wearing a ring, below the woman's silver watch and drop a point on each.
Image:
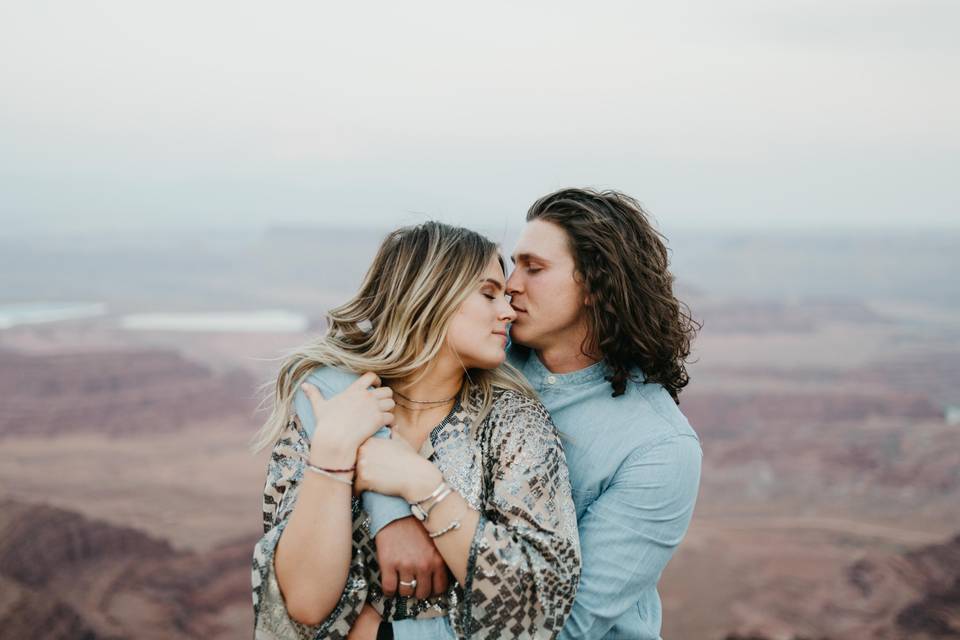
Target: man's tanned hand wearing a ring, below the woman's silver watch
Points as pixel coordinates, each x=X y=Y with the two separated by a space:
x=404 y=552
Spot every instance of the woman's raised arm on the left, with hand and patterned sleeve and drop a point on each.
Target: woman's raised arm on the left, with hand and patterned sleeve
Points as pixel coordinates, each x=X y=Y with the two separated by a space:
x=305 y=555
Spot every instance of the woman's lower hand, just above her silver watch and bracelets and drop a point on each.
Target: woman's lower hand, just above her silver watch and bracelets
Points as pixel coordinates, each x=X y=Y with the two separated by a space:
x=393 y=468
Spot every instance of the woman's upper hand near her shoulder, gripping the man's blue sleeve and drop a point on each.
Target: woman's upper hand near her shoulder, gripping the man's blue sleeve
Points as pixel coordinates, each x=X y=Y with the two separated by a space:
x=346 y=420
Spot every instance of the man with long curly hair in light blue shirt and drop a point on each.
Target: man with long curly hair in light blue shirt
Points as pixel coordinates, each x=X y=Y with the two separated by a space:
x=601 y=337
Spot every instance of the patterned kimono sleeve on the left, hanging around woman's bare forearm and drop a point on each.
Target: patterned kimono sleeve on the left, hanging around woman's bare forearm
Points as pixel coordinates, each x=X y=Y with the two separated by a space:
x=284 y=473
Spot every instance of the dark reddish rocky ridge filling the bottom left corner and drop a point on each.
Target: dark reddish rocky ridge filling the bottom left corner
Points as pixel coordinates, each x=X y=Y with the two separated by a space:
x=66 y=577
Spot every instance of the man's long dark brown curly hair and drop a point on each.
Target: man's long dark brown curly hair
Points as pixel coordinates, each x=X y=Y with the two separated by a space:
x=622 y=260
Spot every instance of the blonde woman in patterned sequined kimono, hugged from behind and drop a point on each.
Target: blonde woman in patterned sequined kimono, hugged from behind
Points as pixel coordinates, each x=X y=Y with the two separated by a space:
x=490 y=482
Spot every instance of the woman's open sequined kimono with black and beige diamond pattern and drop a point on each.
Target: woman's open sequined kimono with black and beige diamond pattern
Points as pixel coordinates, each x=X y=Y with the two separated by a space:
x=524 y=561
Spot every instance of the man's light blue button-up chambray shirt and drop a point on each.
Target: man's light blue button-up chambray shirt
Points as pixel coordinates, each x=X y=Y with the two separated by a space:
x=635 y=470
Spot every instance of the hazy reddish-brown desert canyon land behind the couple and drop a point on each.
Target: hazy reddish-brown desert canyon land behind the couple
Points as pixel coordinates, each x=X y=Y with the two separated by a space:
x=824 y=388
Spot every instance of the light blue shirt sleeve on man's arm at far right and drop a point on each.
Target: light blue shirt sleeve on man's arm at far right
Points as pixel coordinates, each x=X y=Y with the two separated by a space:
x=630 y=532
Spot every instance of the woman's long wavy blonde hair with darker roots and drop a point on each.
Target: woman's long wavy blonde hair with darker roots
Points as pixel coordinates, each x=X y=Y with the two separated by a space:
x=397 y=322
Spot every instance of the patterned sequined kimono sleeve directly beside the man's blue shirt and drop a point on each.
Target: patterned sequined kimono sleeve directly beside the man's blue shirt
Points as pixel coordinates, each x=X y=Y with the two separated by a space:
x=524 y=561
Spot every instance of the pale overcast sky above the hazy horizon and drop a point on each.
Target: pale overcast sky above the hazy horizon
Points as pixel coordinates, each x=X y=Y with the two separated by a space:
x=214 y=114
